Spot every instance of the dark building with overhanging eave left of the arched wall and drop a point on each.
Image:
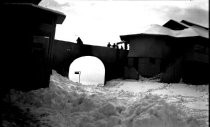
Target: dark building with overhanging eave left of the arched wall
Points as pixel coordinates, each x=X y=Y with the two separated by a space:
x=27 y=33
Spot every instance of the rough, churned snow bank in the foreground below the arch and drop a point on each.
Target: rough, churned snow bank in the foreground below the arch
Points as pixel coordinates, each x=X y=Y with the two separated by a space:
x=69 y=104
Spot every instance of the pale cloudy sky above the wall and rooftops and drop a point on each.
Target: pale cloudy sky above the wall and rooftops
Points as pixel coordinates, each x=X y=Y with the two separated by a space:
x=98 y=22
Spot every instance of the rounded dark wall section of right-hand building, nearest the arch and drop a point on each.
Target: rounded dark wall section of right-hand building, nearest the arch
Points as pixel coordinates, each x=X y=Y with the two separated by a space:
x=147 y=53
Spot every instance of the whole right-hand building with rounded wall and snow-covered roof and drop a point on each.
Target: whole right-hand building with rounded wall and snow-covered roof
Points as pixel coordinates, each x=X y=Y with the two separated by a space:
x=174 y=50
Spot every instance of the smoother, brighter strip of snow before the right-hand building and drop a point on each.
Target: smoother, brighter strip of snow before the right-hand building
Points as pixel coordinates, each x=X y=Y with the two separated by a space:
x=194 y=100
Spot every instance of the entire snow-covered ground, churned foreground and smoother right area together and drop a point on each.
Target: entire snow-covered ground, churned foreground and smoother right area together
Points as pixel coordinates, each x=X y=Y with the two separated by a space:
x=121 y=103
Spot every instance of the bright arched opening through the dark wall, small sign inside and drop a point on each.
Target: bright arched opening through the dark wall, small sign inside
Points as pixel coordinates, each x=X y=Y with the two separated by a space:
x=91 y=69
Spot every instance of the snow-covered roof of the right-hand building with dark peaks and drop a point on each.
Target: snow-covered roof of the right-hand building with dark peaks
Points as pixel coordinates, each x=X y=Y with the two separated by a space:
x=170 y=29
